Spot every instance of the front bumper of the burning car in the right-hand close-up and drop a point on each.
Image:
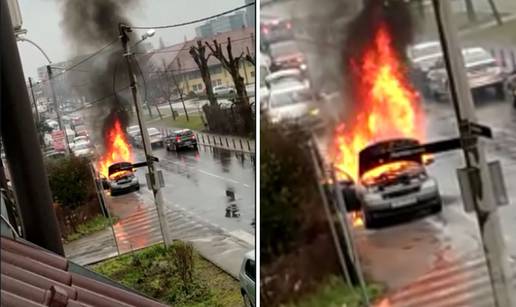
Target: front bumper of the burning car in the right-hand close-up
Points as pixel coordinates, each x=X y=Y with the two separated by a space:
x=387 y=209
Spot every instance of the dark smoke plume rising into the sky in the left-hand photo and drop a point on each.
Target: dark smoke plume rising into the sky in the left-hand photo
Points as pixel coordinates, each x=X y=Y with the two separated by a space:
x=89 y=25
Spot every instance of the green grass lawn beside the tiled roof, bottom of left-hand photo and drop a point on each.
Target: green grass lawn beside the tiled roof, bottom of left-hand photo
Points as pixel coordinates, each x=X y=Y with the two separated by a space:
x=160 y=273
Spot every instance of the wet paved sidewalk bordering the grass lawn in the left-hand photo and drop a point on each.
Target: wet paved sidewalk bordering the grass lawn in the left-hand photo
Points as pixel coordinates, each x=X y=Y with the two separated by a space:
x=138 y=228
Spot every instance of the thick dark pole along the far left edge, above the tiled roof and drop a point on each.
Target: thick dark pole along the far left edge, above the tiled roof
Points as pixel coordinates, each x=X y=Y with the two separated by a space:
x=28 y=173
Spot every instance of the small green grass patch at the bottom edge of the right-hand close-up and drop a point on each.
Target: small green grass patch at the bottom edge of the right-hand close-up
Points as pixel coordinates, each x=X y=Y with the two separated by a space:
x=334 y=293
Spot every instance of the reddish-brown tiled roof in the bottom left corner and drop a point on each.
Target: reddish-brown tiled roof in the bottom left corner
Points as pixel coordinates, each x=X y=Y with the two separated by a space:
x=32 y=276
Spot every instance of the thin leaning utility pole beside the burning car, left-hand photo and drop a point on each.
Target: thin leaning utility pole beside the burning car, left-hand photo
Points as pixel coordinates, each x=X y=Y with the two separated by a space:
x=153 y=175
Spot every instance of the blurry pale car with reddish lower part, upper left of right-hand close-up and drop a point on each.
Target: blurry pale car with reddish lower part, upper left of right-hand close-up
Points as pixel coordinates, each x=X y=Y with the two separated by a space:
x=287 y=54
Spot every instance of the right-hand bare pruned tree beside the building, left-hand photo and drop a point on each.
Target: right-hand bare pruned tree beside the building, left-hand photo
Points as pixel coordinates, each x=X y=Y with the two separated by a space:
x=232 y=65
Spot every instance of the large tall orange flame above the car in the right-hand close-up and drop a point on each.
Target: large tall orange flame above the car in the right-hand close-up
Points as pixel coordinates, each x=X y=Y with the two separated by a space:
x=389 y=105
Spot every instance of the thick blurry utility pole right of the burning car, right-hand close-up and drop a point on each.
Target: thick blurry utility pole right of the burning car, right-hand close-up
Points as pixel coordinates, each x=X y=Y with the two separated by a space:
x=483 y=197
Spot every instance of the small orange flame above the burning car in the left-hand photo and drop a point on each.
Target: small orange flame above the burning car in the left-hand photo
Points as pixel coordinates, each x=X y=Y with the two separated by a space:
x=117 y=149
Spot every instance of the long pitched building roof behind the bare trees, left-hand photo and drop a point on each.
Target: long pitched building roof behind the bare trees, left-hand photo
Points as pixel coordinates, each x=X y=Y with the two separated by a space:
x=177 y=57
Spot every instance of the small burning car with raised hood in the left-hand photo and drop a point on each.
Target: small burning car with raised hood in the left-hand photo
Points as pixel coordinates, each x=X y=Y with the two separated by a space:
x=121 y=178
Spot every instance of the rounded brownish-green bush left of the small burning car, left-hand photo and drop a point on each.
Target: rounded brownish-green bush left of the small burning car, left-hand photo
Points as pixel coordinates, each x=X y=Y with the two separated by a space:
x=71 y=181
